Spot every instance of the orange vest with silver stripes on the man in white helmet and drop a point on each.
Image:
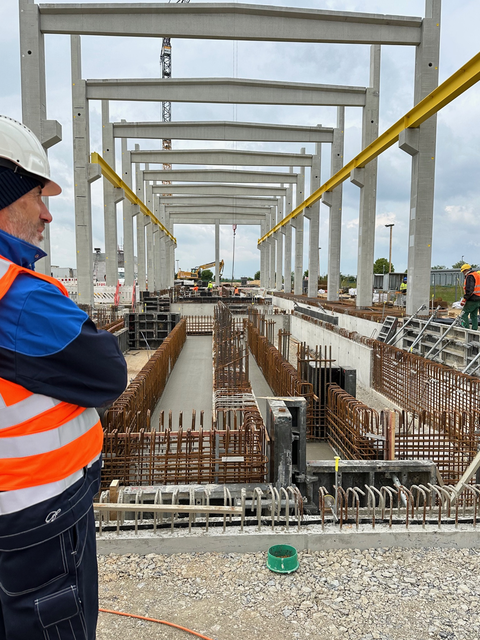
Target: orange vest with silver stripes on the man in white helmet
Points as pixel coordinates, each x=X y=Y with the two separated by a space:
x=44 y=442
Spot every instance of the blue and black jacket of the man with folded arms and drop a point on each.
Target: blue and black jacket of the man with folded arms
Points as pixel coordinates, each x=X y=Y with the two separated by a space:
x=48 y=345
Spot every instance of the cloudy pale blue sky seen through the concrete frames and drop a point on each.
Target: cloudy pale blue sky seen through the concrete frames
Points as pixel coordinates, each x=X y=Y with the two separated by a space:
x=457 y=185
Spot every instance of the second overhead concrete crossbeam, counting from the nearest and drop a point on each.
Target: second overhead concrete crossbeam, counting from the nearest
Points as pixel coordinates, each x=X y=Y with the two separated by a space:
x=225 y=91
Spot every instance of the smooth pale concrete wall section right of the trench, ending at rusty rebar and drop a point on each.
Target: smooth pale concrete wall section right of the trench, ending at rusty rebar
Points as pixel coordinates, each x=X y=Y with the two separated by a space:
x=346 y=352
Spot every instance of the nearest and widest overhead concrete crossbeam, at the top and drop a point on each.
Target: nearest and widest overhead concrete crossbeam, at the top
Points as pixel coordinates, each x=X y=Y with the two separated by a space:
x=229 y=22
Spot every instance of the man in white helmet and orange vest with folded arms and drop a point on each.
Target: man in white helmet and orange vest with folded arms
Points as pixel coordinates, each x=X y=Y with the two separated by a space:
x=55 y=368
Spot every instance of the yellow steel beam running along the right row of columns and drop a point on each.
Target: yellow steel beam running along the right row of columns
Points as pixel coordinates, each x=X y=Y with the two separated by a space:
x=453 y=86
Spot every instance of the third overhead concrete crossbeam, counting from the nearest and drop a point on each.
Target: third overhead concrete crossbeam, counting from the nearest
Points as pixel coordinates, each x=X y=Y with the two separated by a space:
x=233 y=131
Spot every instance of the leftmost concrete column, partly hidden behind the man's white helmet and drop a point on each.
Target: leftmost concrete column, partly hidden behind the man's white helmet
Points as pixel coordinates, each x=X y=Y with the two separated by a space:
x=34 y=113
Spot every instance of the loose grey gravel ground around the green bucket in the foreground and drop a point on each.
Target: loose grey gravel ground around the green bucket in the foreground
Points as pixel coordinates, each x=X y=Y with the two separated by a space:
x=378 y=594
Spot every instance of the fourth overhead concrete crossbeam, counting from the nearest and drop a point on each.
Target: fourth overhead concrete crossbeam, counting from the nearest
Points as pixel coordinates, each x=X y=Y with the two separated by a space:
x=230 y=157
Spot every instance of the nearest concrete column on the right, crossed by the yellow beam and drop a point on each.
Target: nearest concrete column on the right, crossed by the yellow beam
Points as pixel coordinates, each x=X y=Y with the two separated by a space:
x=423 y=165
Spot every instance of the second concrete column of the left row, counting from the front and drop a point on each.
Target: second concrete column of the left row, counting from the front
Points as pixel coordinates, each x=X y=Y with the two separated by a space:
x=81 y=158
